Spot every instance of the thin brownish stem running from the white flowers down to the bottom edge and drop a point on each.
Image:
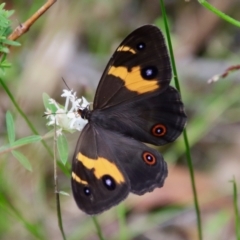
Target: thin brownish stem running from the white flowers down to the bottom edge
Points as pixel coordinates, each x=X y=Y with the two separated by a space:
x=56 y=183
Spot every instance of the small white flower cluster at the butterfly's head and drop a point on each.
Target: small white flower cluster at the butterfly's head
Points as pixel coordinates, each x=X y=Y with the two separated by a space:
x=67 y=119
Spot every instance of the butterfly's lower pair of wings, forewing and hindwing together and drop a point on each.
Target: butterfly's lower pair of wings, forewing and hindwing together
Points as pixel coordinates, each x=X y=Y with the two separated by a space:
x=107 y=165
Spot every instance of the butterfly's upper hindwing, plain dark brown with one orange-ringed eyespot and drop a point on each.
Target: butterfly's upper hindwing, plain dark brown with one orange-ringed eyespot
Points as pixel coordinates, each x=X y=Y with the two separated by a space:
x=158 y=119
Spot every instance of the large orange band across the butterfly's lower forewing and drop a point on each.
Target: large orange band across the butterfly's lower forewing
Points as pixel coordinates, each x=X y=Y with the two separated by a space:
x=101 y=167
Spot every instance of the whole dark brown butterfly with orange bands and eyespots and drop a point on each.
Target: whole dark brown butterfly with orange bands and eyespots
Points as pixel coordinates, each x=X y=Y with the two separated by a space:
x=133 y=105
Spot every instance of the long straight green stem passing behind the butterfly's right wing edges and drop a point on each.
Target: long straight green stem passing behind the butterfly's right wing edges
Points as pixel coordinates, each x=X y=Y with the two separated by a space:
x=188 y=154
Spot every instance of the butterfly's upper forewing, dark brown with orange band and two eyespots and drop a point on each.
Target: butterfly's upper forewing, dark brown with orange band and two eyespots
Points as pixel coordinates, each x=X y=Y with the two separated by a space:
x=140 y=66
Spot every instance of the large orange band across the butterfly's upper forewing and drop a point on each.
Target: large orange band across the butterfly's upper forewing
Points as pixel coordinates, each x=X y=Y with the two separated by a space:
x=133 y=79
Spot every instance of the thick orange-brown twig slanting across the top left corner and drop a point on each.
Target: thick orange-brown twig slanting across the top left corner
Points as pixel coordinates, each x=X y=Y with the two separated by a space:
x=24 y=27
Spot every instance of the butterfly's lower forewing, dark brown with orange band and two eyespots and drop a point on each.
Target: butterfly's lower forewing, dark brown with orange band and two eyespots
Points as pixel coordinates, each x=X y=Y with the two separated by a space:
x=97 y=182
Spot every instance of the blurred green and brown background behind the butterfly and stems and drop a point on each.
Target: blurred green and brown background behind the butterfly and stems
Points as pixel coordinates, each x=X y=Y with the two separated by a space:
x=74 y=40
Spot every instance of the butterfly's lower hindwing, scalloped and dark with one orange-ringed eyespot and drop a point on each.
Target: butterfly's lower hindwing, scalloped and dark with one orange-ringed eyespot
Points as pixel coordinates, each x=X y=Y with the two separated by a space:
x=144 y=166
